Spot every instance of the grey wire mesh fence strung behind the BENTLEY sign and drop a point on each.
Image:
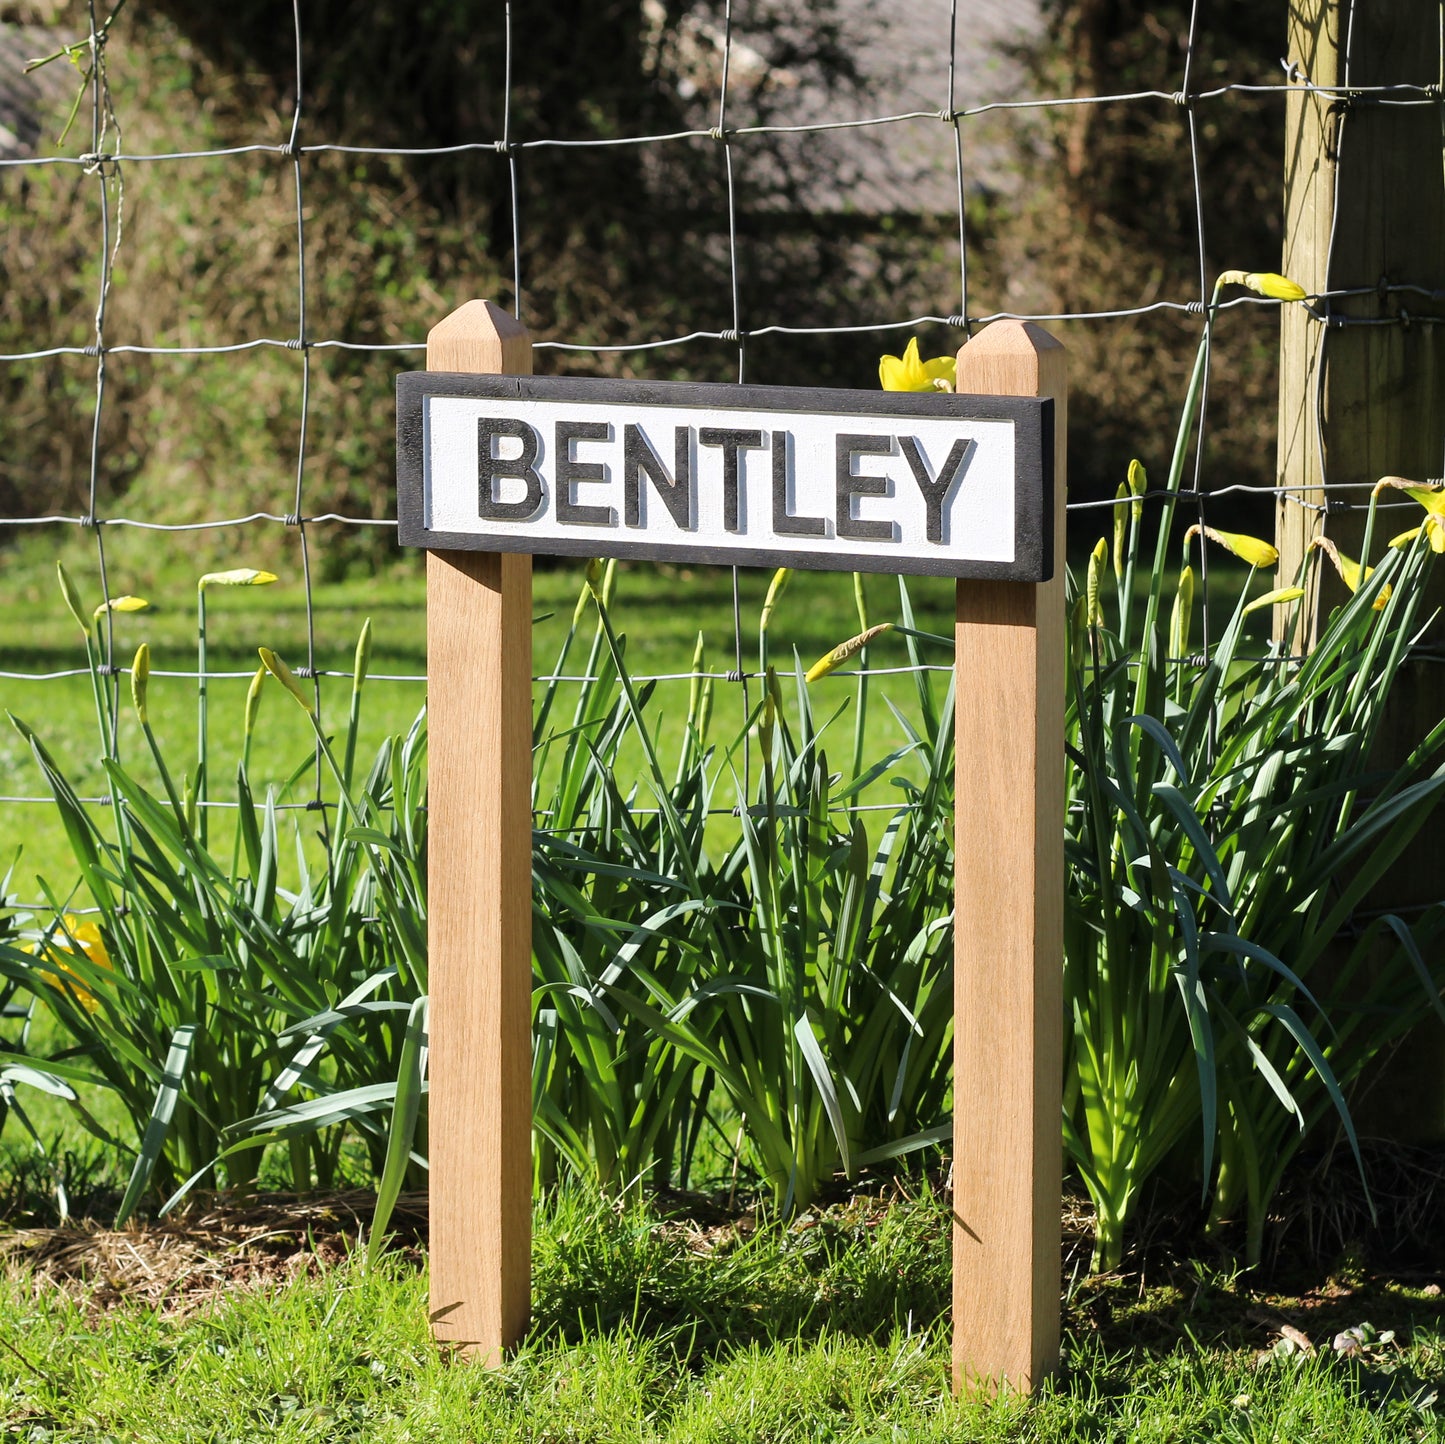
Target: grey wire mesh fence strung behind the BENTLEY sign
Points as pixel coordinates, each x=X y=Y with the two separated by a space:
x=290 y=151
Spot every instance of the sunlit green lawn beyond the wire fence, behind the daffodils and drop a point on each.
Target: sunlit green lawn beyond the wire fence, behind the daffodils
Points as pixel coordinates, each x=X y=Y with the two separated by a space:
x=660 y=609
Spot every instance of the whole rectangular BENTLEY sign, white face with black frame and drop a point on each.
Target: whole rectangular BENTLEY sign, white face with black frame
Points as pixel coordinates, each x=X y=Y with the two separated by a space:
x=839 y=481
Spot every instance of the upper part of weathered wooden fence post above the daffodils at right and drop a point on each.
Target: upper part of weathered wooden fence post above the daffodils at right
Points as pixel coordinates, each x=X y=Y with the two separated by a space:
x=1365 y=206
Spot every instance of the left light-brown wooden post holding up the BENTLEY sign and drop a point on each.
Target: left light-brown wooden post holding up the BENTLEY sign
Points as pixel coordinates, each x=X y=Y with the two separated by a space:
x=479 y=703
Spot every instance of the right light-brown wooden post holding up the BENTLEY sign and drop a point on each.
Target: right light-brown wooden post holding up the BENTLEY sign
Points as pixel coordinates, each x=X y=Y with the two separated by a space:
x=1009 y=926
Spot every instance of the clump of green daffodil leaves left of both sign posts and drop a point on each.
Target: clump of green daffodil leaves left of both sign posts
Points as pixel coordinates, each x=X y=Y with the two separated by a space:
x=206 y=995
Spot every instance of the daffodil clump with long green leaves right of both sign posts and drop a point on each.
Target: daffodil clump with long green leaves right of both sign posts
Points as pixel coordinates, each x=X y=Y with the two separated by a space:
x=1228 y=822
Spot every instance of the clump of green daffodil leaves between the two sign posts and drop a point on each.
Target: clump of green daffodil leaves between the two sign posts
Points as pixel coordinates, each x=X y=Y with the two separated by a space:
x=784 y=960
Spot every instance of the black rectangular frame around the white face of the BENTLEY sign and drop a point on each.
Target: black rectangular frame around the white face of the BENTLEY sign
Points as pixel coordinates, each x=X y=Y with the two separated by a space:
x=1034 y=468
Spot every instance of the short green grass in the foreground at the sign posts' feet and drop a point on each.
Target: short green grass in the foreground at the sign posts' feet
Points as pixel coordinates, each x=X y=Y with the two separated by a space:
x=652 y=1328
